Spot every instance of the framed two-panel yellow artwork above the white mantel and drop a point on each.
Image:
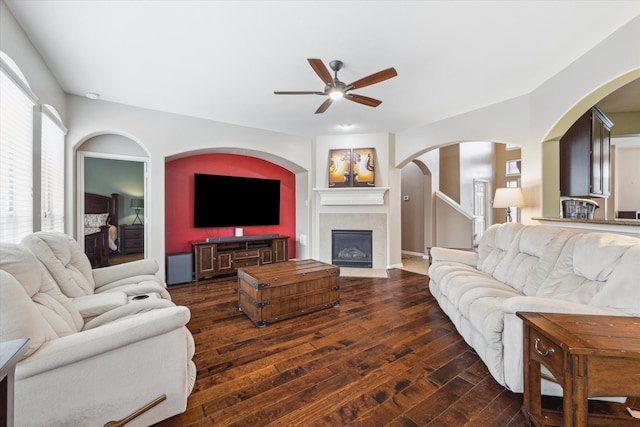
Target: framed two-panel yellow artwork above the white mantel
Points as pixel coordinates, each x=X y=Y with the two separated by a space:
x=352 y=167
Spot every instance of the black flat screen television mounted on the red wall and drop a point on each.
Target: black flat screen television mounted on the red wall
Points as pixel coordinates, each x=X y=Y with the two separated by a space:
x=232 y=201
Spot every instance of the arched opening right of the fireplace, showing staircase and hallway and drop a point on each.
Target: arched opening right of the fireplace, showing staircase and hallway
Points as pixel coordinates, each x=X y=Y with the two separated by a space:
x=462 y=175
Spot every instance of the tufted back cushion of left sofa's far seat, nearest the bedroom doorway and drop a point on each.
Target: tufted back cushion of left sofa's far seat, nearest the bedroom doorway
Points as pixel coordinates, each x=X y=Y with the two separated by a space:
x=64 y=259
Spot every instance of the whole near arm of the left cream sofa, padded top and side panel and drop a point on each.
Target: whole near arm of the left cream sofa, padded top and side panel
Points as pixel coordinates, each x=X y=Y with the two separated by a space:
x=107 y=373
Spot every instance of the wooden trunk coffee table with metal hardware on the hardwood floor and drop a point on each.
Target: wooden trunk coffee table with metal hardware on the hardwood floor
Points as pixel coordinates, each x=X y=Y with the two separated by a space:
x=274 y=292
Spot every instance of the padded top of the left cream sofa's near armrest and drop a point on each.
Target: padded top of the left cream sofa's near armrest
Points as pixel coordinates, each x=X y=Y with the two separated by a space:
x=95 y=342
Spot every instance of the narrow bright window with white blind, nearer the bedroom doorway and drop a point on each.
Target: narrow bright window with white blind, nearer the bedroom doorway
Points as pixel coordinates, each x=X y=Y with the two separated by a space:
x=52 y=171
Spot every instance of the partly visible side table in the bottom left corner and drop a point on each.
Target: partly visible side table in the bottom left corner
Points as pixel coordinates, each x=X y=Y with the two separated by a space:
x=10 y=354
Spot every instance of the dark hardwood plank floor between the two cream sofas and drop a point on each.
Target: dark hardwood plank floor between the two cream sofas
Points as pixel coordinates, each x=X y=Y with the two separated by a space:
x=387 y=356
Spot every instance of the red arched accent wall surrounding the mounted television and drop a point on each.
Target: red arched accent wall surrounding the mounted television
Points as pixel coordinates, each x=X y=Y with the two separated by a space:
x=179 y=230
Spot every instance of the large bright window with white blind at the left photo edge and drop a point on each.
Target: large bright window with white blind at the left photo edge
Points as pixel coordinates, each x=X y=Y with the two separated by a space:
x=16 y=160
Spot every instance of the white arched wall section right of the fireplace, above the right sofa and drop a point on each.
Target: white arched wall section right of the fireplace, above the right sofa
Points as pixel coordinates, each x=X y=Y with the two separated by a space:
x=542 y=115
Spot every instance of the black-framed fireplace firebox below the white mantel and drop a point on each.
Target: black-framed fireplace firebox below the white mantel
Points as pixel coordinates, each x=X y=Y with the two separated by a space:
x=352 y=248
